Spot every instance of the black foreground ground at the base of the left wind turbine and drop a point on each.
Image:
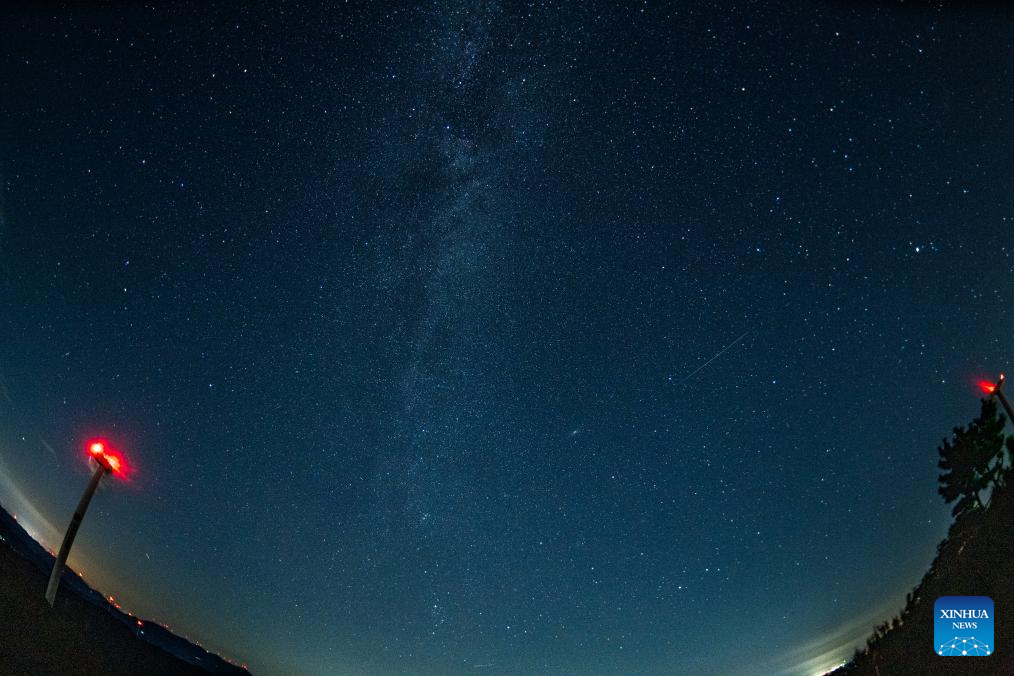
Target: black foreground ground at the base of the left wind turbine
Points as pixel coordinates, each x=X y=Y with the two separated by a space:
x=74 y=638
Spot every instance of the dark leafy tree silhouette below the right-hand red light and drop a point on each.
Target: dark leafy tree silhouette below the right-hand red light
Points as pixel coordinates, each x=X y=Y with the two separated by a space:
x=974 y=461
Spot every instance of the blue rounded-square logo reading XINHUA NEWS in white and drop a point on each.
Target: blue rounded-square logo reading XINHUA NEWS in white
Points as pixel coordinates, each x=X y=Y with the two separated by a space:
x=963 y=627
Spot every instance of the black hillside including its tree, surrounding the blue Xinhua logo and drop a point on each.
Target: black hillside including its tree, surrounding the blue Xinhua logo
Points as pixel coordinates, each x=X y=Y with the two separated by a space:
x=974 y=560
